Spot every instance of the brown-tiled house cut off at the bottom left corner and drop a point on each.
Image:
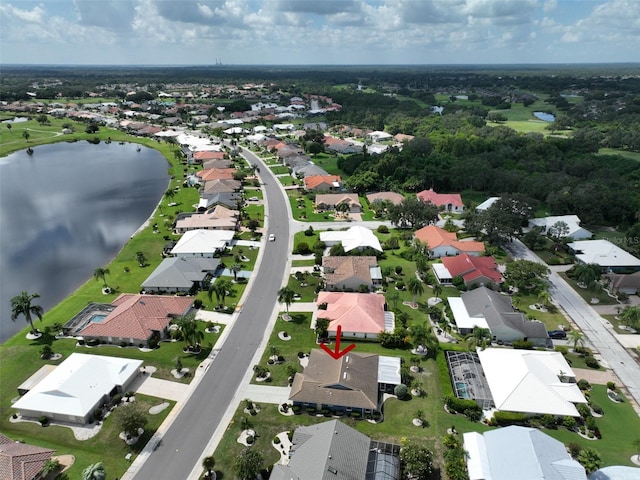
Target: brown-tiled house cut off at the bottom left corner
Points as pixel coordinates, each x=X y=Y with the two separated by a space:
x=21 y=461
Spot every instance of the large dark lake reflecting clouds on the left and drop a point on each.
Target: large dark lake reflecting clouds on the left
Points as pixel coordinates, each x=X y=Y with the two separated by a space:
x=67 y=209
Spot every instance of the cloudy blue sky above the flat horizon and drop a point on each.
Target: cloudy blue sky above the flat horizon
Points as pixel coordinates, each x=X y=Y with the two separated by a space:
x=312 y=32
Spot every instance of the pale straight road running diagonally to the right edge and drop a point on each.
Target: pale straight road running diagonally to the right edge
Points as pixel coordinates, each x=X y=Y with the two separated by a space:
x=592 y=325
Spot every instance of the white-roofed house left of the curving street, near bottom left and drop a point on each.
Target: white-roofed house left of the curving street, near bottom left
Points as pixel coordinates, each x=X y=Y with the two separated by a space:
x=77 y=387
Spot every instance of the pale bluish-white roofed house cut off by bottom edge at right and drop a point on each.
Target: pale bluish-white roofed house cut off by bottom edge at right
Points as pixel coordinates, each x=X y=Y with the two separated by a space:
x=519 y=453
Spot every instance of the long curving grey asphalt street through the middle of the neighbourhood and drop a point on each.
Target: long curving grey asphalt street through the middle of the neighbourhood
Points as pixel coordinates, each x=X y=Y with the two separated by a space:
x=183 y=443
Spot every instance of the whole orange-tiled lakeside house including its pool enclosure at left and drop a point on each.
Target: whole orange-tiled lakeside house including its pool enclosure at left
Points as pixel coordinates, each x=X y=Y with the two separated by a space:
x=135 y=320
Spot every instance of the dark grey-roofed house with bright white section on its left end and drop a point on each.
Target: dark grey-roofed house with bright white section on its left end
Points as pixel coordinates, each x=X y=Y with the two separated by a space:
x=485 y=308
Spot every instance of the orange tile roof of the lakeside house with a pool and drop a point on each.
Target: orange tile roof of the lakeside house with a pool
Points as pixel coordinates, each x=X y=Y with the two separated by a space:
x=137 y=316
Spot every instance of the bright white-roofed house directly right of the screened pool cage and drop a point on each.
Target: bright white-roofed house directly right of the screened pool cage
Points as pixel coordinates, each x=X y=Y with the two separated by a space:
x=531 y=381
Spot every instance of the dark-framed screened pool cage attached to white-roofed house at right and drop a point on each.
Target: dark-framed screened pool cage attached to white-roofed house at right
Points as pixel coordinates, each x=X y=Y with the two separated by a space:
x=468 y=379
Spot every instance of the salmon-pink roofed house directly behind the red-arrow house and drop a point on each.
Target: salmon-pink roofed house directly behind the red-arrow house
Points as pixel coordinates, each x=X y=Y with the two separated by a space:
x=360 y=315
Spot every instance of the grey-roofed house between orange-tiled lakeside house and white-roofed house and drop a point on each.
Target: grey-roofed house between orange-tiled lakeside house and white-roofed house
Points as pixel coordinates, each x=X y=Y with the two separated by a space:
x=181 y=274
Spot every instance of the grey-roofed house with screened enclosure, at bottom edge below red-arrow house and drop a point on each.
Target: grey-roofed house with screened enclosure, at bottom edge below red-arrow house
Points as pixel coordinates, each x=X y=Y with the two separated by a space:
x=334 y=449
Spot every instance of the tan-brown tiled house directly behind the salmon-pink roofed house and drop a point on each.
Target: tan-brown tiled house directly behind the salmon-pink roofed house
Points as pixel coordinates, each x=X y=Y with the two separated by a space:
x=349 y=273
